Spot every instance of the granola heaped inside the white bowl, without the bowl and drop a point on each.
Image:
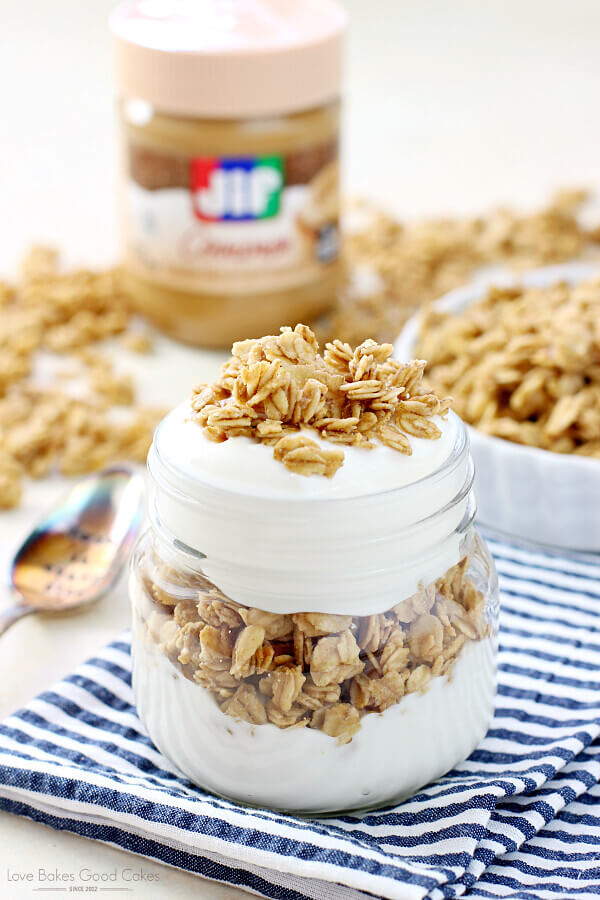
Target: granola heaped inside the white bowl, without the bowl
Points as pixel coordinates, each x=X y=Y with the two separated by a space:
x=523 y=364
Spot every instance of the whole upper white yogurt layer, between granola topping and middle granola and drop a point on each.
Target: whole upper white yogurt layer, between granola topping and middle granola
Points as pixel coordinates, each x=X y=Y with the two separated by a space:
x=355 y=544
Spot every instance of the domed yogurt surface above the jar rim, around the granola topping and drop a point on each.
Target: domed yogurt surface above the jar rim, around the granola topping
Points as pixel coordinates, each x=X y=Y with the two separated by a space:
x=247 y=467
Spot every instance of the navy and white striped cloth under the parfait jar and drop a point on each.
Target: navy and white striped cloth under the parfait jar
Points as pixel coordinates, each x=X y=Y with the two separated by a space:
x=520 y=818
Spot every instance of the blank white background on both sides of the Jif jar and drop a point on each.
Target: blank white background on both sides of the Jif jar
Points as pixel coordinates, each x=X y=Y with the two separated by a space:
x=451 y=107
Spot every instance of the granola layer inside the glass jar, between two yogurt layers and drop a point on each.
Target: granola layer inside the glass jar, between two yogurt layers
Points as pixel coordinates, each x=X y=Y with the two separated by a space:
x=312 y=670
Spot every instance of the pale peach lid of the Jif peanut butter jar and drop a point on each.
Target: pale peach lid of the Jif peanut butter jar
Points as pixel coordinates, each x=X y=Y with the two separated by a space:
x=229 y=58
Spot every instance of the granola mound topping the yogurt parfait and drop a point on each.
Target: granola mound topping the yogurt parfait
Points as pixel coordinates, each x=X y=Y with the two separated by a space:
x=277 y=388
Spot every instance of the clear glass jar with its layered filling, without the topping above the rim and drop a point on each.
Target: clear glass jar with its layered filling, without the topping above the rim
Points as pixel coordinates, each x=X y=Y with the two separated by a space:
x=314 y=655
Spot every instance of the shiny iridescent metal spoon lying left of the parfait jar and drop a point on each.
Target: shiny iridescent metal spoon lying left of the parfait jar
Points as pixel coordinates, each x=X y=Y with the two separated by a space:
x=76 y=553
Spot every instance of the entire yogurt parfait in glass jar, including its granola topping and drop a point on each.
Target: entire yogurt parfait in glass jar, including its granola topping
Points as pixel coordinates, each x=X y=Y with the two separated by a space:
x=314 y=613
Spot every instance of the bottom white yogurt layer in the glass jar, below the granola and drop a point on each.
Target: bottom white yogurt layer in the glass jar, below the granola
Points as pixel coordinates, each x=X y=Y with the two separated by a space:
x=304 y=770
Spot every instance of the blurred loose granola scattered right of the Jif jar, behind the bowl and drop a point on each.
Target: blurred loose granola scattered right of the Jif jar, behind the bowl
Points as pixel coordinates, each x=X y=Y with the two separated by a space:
x=416 y=263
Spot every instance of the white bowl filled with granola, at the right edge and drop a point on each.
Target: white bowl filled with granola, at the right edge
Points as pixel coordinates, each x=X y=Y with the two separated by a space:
x=521 y=356
